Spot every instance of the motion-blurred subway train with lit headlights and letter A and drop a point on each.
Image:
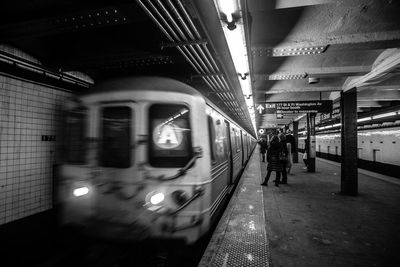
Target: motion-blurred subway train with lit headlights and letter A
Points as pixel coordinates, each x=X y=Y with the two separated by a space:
x=148 y=158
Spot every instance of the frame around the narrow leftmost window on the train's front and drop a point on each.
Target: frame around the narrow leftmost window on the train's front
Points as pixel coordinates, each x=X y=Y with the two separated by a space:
x=84 y=124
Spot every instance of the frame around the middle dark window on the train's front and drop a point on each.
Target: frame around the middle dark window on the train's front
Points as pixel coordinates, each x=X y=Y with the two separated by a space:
x=106 y=105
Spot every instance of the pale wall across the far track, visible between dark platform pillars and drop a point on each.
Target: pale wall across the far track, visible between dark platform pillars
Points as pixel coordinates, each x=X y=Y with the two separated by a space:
x=378 y=147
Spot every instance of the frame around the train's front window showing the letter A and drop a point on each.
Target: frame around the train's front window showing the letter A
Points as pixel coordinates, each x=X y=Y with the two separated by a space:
x=164 y=161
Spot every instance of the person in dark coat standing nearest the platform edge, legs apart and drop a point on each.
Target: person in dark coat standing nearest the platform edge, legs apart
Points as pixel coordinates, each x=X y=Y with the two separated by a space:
x=273 y=152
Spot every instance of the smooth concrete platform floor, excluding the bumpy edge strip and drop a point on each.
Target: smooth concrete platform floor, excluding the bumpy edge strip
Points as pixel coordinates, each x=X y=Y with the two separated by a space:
x=309 y=223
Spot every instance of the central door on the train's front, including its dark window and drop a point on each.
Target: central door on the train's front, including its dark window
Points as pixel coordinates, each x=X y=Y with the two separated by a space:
x=115 y=160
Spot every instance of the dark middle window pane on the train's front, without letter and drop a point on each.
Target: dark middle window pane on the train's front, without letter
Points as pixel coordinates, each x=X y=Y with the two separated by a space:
x=116 y=144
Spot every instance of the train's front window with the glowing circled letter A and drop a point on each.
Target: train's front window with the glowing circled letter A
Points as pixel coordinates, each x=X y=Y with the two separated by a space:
x=170 y=135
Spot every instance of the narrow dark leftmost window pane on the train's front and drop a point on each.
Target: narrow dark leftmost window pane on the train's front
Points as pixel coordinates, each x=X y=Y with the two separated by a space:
x=75 y=128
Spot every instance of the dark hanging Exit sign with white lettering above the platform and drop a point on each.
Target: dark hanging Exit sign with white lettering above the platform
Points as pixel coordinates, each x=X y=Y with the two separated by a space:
x=293 y=107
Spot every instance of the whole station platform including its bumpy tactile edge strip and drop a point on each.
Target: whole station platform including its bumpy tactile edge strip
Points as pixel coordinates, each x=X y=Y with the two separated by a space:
x=308 y=222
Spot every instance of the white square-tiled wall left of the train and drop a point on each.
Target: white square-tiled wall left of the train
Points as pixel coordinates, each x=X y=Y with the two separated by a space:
x=30 y=121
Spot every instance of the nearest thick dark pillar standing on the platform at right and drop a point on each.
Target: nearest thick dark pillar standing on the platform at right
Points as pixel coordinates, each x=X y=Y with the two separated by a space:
x=349 y=172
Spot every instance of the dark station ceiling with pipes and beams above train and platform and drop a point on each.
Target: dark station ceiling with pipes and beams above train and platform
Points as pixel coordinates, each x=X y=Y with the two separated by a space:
x=358 y=42
